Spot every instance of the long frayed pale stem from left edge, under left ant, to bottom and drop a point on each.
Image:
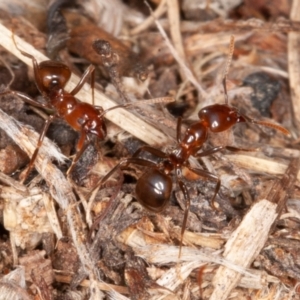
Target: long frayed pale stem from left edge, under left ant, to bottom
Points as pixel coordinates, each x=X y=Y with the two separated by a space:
x=60 y=190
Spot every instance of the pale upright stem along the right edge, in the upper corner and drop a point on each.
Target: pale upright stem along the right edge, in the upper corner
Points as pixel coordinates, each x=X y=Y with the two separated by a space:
x=294 y=62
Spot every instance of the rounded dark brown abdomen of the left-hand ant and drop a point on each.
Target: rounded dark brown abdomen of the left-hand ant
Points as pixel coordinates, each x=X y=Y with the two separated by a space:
x=52 y=75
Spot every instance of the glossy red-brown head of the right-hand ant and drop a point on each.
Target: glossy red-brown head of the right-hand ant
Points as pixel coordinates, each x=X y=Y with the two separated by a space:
x=219 y=117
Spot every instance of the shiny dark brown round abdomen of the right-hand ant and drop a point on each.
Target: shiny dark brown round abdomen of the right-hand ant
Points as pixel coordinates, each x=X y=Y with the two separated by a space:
x=153 y=190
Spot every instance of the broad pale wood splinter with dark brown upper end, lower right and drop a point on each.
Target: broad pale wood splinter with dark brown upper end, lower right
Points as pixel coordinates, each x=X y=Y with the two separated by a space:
x=249 y=238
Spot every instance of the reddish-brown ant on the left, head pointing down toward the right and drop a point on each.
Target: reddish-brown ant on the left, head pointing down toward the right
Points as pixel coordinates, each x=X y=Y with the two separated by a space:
x=51 y=78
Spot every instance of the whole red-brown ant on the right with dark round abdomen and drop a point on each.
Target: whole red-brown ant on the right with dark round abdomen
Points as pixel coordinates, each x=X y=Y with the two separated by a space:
x=154 y=187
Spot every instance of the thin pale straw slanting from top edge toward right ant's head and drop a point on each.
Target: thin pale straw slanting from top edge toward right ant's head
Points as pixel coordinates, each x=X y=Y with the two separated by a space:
x=188 y=73
